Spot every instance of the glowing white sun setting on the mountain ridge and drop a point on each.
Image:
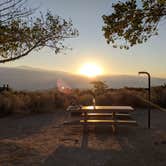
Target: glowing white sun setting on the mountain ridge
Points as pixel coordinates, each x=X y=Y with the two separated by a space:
x=90 y=70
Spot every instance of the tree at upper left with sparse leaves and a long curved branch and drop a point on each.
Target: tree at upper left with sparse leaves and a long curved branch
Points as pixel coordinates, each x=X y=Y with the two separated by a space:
x=20 y=35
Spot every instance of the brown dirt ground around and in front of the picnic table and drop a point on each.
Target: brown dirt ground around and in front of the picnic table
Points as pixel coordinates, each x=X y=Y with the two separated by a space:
x=43 y=140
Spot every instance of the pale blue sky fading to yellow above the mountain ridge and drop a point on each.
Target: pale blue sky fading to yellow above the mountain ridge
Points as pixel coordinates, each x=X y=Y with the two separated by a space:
x=91 y=47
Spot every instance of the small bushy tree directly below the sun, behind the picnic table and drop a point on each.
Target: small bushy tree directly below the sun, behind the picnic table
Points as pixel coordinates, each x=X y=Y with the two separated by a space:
x=99 y=87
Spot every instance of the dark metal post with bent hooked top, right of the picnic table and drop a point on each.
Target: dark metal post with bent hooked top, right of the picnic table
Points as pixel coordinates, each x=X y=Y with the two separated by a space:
x=149 y=95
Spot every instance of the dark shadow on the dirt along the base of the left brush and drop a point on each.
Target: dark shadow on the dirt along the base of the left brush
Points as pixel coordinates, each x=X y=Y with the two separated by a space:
x=14 y=127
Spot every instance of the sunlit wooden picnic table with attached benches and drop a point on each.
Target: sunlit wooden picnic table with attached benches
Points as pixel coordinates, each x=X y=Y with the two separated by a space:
x=101 y=115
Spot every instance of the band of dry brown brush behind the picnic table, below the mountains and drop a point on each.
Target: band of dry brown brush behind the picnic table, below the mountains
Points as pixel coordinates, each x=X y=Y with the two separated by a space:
x=46 y=101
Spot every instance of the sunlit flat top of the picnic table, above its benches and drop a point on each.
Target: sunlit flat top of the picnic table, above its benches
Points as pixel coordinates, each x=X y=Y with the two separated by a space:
x=101 y=108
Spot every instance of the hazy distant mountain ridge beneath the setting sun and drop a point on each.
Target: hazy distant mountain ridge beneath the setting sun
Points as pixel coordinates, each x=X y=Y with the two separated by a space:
x=27 y=78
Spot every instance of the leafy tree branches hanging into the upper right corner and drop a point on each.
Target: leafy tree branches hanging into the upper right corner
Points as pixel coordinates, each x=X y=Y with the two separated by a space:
x=133 y=22
